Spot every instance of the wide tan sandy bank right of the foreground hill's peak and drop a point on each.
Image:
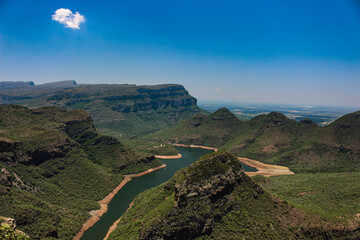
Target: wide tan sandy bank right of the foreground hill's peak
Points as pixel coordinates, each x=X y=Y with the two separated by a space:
x=266 y=170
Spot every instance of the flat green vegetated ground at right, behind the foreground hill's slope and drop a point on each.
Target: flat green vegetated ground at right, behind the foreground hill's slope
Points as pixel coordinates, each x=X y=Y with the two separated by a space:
x=335 y=196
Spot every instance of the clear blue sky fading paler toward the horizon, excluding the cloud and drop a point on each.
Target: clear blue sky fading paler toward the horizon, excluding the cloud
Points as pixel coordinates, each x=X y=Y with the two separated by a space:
x=295 y=52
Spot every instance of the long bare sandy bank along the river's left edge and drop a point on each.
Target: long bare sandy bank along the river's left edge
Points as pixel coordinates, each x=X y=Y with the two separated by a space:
x=96 y=214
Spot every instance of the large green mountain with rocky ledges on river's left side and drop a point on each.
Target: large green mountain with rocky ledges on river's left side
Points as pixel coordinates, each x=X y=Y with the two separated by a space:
x=55 y=166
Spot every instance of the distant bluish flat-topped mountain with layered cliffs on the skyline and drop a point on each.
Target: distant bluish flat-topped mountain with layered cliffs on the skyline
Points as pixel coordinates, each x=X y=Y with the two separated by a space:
x=123 y=110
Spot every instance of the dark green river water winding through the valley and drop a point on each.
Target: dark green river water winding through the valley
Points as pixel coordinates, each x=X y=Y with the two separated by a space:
x=120 y=203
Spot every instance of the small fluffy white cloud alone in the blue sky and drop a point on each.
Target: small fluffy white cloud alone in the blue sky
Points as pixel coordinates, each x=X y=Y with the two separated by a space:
x=66 y=17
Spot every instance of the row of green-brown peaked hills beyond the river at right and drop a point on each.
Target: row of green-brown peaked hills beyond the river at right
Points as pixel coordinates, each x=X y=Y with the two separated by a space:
x=273 y=138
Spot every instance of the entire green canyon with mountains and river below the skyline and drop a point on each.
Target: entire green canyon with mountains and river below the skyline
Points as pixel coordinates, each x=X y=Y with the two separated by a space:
x=57 y=167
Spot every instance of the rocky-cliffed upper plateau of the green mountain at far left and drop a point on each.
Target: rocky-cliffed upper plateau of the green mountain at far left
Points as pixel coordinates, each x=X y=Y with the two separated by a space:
x=32 y=137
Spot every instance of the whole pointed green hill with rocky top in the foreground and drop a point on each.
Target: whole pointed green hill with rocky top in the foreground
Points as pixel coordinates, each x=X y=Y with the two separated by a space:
x=215 y=199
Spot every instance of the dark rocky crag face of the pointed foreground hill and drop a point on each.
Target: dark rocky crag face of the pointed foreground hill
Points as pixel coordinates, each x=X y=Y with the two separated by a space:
x=203 y=197
